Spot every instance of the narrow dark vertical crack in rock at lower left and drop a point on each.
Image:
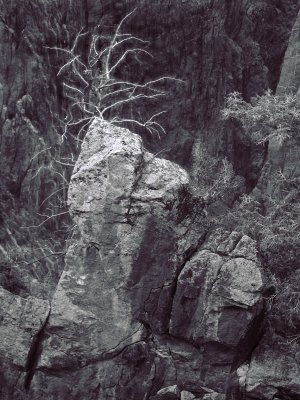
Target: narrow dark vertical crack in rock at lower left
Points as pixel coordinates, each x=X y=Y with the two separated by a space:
x=34 y=353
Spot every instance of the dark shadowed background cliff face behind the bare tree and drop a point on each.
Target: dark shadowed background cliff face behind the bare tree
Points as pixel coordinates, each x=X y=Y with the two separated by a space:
x=214 y=47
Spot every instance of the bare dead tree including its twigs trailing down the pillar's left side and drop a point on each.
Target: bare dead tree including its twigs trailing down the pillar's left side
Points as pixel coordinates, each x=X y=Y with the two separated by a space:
x=95 y=79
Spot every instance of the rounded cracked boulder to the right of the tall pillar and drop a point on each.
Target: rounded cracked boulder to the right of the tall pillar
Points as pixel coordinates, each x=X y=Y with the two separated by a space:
x=218 y=299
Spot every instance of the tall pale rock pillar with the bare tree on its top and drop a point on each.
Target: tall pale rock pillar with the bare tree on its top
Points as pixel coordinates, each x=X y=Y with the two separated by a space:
x=119 y=197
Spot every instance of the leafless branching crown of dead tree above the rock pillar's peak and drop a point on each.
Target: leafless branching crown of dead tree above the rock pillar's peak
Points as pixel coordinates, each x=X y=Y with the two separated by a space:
x=90 y=81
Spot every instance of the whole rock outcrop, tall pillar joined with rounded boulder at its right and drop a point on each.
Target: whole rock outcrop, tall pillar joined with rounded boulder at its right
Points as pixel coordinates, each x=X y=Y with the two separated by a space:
x=147 y=304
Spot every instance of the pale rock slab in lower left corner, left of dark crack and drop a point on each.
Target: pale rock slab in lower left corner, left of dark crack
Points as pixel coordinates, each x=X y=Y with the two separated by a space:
x=22 y=321
